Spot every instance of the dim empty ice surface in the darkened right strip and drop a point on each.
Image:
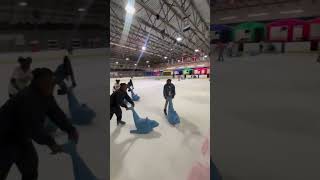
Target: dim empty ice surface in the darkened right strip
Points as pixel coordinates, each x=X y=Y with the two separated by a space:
x=267 y=121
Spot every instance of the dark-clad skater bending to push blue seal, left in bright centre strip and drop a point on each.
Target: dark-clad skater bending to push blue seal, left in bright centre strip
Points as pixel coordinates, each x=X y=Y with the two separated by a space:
x=117 y=101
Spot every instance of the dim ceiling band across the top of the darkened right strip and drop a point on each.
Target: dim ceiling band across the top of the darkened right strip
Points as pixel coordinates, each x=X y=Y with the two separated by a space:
x=236 y=11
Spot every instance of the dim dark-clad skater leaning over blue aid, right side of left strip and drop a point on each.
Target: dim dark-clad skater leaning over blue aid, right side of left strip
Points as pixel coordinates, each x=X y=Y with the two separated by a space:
x=64 y=71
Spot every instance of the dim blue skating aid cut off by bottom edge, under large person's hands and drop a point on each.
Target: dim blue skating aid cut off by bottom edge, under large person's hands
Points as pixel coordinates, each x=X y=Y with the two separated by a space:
x=80 y=170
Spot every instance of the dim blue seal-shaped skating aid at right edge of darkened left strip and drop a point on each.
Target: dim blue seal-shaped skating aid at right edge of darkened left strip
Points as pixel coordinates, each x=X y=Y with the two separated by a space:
x=81 y=114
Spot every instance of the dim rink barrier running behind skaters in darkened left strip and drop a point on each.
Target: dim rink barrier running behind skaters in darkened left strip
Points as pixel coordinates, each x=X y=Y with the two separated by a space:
x=51 y=55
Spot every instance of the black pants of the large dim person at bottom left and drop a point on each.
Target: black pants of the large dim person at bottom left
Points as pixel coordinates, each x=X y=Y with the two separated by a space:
x=24 y=156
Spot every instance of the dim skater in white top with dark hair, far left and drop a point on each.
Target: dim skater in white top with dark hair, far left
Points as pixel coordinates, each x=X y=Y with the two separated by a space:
x=21 y=76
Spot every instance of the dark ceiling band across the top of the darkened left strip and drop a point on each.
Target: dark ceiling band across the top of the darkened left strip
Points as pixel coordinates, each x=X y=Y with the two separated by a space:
x=53 y=11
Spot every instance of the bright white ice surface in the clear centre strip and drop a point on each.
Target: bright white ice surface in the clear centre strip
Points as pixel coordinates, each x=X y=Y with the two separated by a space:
x=167 y=153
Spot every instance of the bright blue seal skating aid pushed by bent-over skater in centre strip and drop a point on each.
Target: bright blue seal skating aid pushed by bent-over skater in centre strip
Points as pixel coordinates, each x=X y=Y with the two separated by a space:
x=143 y=126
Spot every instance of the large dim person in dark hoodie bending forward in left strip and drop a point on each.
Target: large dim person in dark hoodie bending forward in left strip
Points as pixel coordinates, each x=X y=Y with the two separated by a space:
x=21 y=121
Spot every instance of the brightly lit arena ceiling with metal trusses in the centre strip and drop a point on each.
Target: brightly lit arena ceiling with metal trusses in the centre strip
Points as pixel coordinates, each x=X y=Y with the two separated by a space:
x=156 y=24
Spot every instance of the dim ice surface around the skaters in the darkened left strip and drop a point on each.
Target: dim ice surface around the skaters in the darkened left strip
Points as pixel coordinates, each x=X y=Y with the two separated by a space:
x=90 y=76
